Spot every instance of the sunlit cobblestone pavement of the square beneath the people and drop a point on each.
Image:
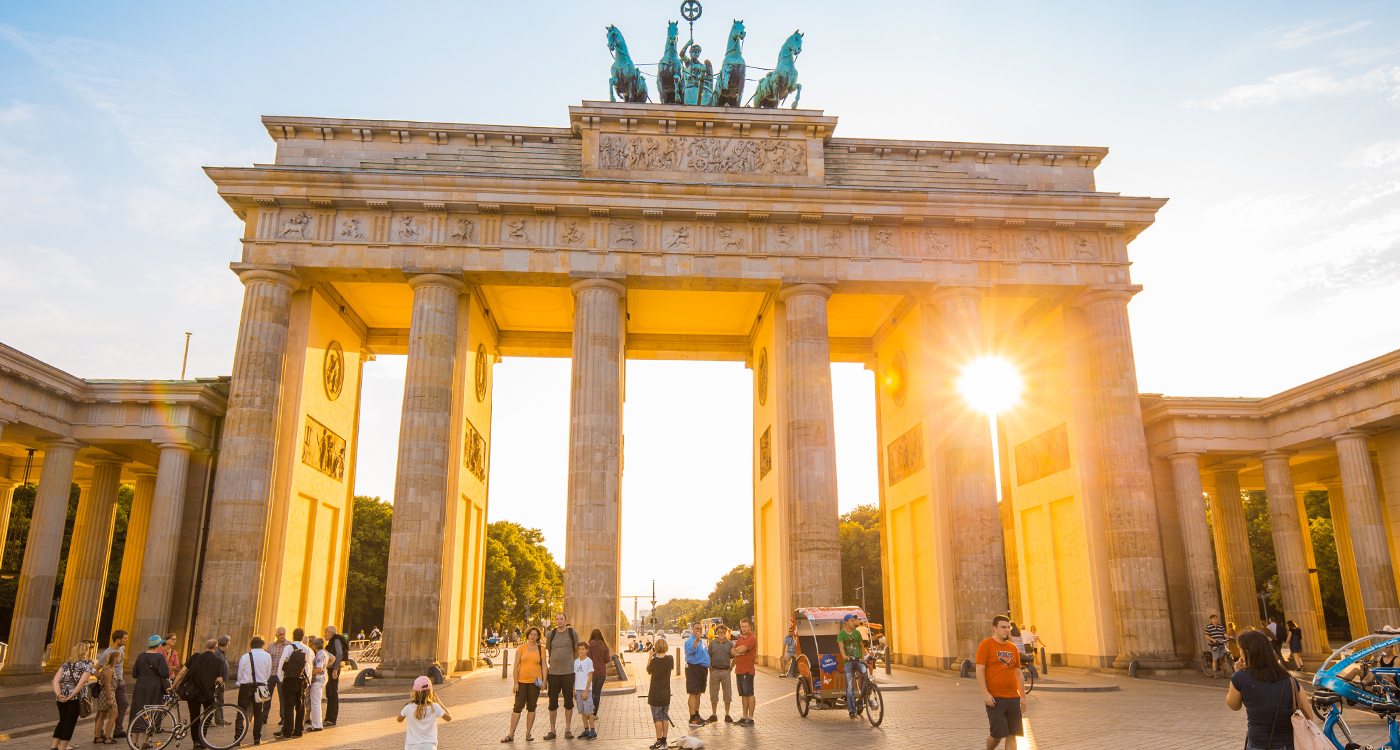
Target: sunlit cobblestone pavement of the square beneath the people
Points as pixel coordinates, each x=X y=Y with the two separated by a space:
x=943 y=713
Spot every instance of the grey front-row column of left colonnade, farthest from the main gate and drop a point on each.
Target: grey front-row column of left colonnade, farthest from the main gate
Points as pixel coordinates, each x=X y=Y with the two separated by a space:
x=34 y=598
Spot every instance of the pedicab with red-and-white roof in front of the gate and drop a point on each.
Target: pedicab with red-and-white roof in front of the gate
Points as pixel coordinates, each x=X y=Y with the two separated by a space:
x=821 y=672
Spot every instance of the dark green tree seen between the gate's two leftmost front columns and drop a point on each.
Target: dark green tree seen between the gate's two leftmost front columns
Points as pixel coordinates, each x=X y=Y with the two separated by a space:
x=369 y=569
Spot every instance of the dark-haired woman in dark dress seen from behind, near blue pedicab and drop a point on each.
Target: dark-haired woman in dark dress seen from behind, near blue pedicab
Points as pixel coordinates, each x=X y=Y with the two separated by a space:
x=1268 y=693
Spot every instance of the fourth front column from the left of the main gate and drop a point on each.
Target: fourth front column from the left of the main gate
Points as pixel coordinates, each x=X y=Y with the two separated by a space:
x=814 y=521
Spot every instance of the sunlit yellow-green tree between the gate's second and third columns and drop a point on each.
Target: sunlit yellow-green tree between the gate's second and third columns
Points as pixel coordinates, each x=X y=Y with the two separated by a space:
x=524 y=586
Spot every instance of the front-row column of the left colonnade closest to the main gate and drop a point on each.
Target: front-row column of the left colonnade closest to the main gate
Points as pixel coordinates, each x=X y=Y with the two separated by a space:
x=159 y=562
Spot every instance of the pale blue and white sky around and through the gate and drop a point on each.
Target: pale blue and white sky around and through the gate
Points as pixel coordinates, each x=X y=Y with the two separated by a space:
x=1275 y=128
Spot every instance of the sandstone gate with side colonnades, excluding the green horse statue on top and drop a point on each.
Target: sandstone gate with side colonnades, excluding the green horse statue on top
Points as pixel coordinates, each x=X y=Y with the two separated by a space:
x=684 y=233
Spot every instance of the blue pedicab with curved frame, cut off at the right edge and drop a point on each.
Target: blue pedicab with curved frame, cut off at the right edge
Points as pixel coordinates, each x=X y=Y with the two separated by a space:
x=1363 y=675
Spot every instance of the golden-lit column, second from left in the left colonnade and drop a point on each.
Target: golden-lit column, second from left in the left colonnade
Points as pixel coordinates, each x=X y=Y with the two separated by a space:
x=85 y=580
